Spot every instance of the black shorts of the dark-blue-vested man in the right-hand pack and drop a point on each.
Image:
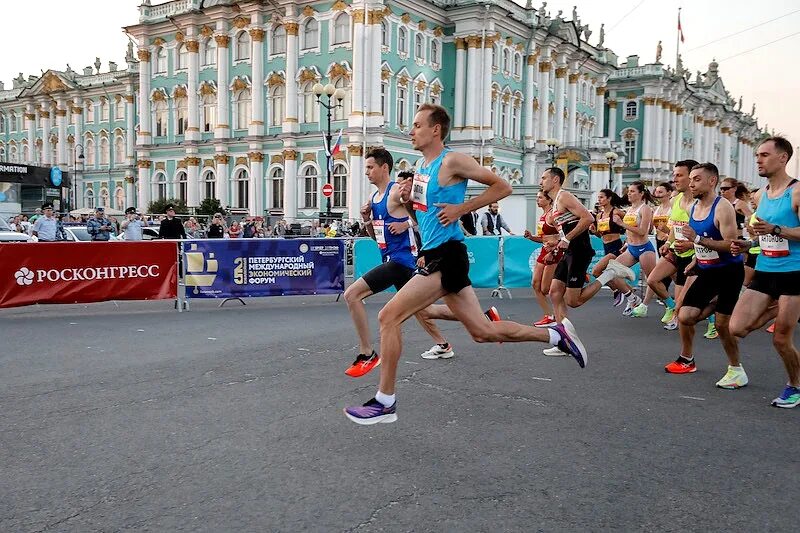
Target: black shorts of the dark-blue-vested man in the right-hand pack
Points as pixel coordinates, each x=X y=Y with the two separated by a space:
x=724 y=283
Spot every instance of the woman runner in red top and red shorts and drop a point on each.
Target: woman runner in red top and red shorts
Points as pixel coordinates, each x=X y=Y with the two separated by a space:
x=542 y=262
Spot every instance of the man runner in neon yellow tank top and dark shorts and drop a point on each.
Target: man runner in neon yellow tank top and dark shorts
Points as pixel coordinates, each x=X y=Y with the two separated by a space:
x=674 y=263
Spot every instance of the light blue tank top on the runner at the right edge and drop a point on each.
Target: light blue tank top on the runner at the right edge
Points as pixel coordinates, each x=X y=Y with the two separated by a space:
x=778 y=254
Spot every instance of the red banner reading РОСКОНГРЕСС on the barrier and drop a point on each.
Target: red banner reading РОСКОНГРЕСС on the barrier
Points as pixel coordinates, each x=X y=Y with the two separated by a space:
x=82 y=272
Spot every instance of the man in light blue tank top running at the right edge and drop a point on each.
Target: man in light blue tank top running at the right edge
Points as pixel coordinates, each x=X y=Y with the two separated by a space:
x=777 y=274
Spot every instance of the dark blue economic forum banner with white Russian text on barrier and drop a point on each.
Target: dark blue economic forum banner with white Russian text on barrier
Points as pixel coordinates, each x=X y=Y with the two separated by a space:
x=244 y=268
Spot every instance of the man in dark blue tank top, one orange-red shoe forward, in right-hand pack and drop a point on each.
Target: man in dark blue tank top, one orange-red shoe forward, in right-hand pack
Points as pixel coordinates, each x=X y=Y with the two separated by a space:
x=711 y=229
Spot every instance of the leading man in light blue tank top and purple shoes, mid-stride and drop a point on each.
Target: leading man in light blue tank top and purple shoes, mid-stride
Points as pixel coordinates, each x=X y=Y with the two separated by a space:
x=437 y=193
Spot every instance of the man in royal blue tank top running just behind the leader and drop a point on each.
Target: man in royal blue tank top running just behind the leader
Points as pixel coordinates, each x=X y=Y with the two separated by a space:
x=387 y=222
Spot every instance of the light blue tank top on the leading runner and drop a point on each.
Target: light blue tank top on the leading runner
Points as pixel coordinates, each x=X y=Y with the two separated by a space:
x=426 y=192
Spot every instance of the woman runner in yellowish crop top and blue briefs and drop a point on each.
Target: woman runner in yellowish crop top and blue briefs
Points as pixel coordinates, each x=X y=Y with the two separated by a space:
x=637 y=223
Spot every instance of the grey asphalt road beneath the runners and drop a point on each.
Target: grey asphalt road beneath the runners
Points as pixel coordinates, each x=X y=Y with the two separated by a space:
x=140 y=418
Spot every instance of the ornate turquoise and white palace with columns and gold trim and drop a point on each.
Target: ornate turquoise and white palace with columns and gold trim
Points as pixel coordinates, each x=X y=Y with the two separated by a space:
x=216 y=100
